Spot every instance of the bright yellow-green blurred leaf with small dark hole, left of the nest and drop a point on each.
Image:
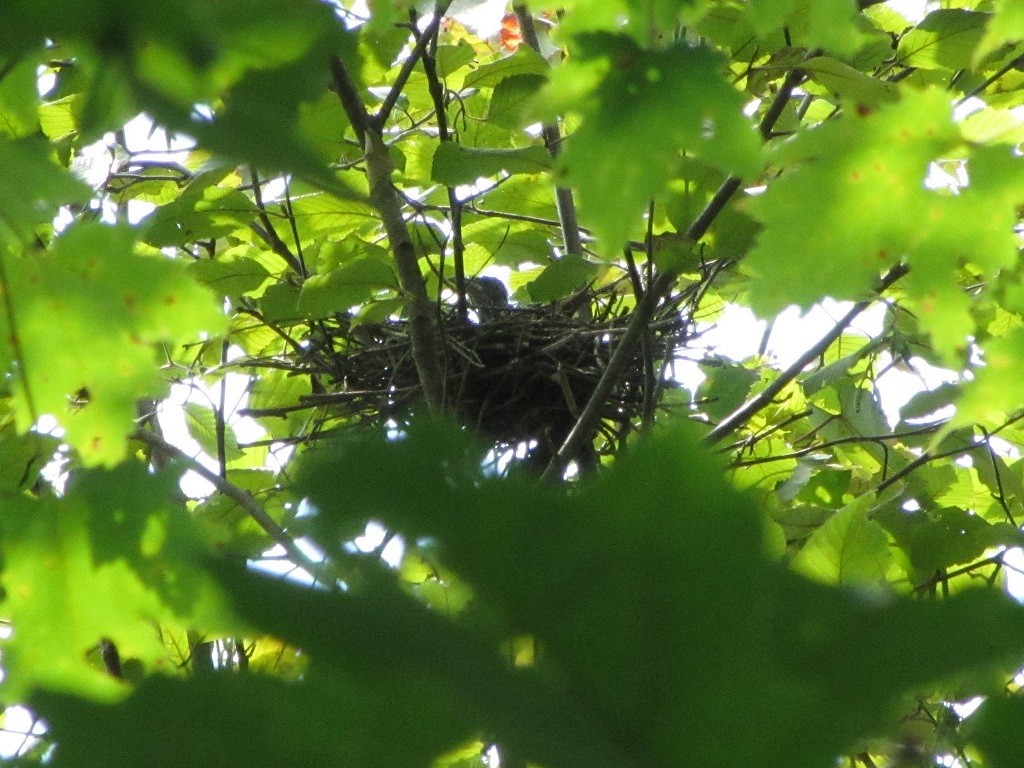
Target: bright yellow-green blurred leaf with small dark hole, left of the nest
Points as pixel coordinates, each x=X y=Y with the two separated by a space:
x=89 y=314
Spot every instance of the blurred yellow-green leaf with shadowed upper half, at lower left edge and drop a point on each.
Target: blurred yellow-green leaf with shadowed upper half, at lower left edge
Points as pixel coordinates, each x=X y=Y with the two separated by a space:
x=109 y=561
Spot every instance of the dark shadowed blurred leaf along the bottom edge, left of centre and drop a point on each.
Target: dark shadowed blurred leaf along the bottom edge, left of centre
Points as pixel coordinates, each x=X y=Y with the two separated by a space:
x=325 y=722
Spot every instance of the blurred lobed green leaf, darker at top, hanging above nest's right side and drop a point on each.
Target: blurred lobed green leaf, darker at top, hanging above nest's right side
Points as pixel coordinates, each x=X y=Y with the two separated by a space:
x=622 y=157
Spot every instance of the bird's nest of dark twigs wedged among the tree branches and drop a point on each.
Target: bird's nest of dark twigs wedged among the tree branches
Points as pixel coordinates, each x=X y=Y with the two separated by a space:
x=516 y=376
